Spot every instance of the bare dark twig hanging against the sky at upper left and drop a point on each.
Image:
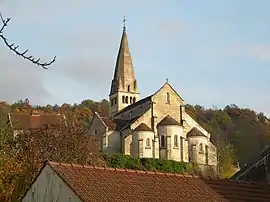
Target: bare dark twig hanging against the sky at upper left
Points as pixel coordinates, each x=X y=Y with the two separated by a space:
x=13 y=48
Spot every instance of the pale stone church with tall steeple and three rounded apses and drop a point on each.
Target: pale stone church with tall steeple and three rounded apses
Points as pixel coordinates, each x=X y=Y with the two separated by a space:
x=156 y=126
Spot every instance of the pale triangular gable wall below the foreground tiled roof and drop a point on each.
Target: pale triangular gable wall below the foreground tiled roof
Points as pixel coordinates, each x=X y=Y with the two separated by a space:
x=49 y=187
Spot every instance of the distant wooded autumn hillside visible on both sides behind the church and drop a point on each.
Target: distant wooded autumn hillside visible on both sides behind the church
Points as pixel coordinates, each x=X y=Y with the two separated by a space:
x=245 y=131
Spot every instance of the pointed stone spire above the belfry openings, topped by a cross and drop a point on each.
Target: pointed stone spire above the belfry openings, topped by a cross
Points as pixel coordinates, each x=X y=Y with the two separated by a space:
x=124 y=77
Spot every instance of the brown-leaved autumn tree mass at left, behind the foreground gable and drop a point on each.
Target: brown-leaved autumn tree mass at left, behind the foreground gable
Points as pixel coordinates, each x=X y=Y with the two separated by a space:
x=32 y=148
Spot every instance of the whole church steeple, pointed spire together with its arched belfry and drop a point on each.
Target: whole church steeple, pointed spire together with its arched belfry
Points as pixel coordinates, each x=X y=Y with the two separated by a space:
x=124 y=83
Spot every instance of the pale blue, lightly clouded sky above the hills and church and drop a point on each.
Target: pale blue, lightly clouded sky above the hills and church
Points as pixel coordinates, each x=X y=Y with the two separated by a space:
x=213 y=52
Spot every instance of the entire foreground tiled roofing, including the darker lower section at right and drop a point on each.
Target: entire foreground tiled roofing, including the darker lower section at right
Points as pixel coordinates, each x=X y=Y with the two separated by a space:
x=109 y=184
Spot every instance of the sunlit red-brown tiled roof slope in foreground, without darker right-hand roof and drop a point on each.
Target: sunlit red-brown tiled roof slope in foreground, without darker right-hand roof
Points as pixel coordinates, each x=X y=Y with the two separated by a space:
x=109 y=184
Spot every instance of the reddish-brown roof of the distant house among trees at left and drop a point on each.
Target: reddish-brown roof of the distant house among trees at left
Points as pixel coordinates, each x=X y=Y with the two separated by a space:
x=27 y=121
